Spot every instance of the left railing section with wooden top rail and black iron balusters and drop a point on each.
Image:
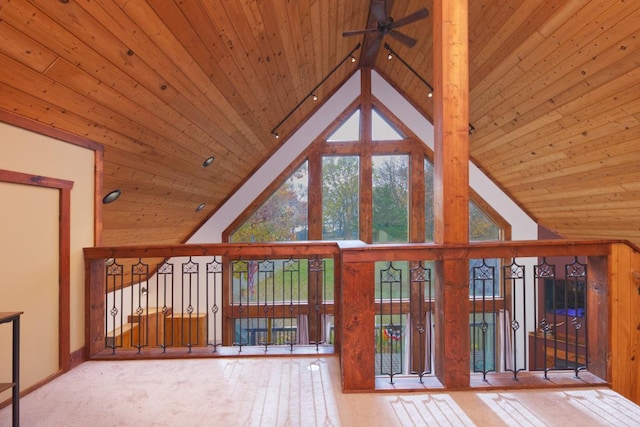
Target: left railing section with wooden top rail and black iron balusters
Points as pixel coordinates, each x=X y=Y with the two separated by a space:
x=200 y=299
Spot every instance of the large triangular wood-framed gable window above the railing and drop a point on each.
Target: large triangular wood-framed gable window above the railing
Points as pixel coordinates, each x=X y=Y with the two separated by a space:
x=360 y=187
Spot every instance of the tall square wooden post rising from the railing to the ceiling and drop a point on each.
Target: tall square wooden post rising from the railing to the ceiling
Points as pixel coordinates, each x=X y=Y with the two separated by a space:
x=451 y=188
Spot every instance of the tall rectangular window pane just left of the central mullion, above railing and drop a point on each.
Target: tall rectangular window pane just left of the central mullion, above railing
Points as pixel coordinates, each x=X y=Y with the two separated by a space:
x=340 y=197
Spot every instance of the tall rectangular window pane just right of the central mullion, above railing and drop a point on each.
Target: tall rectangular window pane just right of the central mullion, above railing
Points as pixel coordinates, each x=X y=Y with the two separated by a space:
x=390 y=198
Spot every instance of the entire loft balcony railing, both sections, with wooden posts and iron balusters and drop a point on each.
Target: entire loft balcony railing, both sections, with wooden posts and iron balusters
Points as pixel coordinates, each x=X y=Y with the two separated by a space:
x=528 y=314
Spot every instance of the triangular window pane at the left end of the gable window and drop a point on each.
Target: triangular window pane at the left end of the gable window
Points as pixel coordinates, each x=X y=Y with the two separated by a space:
x=282 y=217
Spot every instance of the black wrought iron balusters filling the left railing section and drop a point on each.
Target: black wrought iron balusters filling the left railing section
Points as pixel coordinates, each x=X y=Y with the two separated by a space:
x=188 y=303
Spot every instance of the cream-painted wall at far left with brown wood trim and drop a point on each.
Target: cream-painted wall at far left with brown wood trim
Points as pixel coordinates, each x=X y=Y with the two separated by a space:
x=29 y=263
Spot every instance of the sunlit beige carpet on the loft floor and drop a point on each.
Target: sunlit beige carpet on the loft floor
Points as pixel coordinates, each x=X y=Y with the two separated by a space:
x=290 y=391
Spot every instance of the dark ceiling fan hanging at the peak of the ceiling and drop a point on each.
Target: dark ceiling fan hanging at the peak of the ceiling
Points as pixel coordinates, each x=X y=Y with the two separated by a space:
x=381 y=24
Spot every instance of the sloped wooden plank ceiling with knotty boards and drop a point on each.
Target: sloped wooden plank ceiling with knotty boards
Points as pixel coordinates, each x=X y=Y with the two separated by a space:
x=555 y=97
